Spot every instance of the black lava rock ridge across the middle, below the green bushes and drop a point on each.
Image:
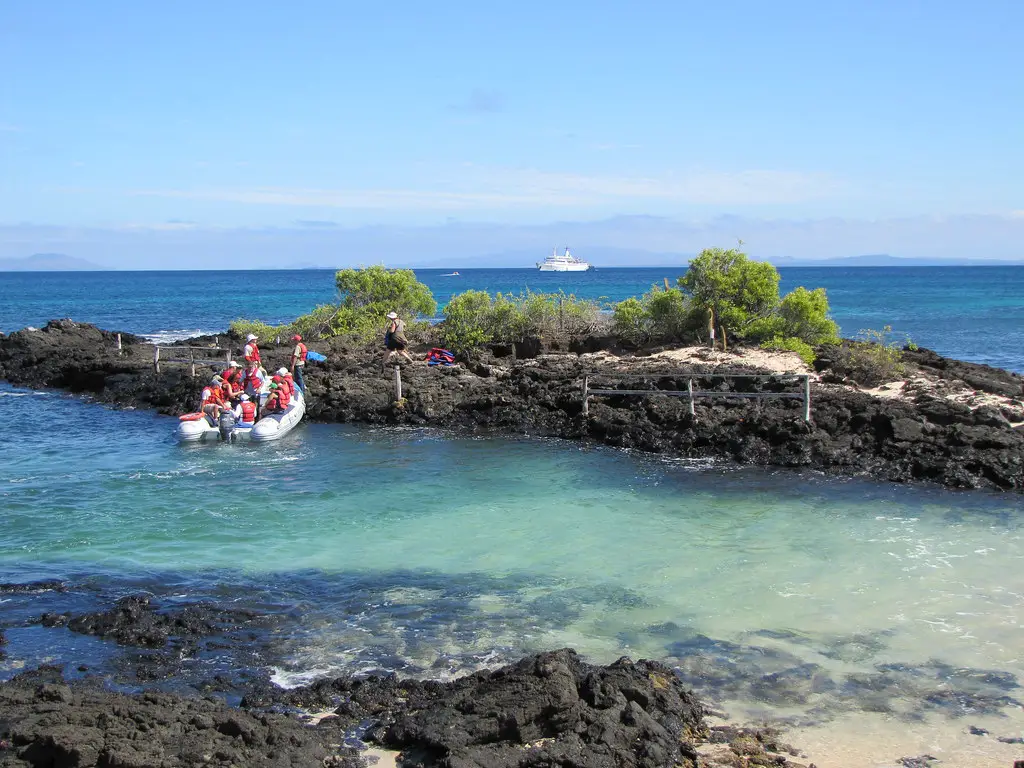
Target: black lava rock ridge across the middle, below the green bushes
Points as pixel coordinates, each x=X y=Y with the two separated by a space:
x=948 y=422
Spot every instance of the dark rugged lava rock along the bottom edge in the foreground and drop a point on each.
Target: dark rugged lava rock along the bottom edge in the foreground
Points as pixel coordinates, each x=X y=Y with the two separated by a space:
x=548 y=710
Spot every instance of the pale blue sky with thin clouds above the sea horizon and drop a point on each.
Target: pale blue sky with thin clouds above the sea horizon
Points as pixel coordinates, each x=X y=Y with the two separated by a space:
x=155 y=136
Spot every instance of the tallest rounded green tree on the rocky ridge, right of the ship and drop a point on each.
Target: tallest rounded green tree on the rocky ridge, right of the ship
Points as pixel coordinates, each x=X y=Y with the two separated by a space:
x=737 y=290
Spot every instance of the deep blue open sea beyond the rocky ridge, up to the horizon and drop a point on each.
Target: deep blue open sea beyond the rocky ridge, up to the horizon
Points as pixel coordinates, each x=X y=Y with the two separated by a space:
x=974 y=314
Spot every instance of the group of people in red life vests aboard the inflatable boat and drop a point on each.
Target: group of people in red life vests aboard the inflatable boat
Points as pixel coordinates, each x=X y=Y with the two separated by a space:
x=239 y=391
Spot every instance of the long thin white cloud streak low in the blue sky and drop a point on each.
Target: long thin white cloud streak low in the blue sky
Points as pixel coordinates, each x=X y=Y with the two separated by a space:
x=481 y=188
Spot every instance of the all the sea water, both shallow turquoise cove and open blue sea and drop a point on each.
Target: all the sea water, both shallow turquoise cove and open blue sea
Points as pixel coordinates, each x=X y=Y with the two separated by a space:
x=881 y=618
